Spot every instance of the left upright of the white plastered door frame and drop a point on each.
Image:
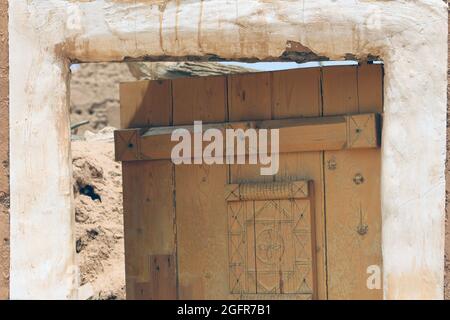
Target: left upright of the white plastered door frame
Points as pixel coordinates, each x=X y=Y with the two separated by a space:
x=42 y=221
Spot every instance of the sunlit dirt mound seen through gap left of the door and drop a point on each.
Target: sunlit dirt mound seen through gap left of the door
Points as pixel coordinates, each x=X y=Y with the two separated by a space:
x=97 y=187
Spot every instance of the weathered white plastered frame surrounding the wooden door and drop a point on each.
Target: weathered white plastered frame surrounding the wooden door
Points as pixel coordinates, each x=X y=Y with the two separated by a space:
x=409 y=35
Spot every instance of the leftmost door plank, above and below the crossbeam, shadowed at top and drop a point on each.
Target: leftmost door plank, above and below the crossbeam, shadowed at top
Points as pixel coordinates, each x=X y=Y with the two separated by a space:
x=148 y=188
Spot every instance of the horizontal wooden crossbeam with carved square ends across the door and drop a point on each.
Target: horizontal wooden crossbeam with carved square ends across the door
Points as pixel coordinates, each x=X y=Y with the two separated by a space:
x=295 y=135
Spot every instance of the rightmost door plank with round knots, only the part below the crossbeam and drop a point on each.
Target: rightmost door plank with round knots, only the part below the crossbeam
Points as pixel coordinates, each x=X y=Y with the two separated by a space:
x=353 y=222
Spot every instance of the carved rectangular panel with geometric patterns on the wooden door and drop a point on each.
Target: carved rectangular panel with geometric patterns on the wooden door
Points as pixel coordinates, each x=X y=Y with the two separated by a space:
x=271 y=241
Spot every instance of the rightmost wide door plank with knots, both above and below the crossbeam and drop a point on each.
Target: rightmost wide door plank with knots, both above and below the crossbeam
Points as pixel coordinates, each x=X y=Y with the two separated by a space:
x=352 y=198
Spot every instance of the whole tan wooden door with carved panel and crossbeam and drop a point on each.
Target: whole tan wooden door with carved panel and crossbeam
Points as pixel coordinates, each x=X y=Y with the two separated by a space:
x=224 y=231
